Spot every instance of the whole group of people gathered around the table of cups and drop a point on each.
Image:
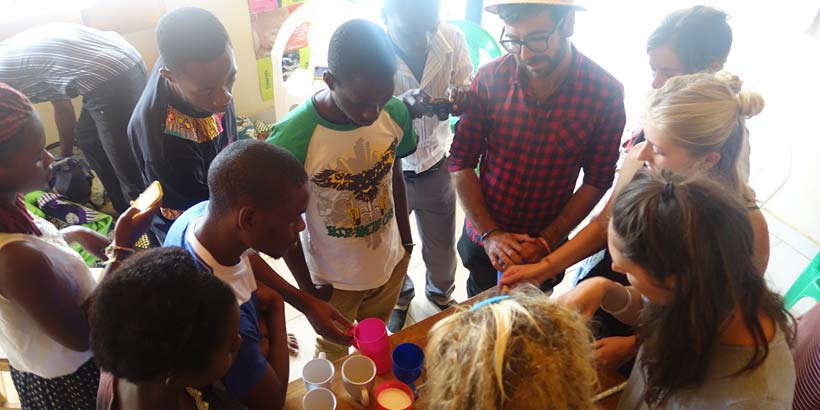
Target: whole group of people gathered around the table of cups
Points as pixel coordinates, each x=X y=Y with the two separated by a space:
x=672 y=286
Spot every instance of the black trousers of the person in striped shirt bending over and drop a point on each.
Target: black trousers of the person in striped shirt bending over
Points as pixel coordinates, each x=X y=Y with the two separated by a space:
x=102 y=135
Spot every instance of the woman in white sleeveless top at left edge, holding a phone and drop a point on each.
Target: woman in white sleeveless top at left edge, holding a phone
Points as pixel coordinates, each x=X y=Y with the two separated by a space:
x=44 y=284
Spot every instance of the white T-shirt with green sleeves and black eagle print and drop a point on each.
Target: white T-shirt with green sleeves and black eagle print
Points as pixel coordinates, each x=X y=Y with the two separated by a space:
x=351 y=241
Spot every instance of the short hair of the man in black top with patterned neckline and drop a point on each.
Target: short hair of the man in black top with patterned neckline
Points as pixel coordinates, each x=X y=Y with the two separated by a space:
x=190 y=34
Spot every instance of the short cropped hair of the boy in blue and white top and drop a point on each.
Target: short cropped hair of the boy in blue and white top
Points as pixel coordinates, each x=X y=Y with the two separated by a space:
x=255 y=172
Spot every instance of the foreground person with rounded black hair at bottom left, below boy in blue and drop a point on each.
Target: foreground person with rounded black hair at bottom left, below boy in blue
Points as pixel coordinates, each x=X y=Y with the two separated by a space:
x=160 y=329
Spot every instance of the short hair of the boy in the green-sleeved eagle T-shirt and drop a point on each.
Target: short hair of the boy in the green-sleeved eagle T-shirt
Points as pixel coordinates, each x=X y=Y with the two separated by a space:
x=359 y=48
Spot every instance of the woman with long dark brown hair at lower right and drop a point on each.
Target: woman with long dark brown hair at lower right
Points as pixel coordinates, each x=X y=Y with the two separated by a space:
x=713 y=336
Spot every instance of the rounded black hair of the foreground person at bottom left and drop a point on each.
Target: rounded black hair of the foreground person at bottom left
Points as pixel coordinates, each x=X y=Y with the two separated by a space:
x=158 y=314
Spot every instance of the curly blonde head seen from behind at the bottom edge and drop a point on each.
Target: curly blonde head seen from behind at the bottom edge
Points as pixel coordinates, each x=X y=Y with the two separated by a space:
x=521 y=352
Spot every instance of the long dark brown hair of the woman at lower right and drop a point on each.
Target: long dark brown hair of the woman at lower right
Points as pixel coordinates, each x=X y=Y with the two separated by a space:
x=697 y=233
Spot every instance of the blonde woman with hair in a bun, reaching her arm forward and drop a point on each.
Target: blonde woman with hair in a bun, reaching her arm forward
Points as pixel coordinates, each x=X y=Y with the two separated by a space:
x=694 y=124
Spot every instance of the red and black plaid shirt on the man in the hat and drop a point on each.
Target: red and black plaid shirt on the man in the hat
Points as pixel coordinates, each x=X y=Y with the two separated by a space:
x=531 y=154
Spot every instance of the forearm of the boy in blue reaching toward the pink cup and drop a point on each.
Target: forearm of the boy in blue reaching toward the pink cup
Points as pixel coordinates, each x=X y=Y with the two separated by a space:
x=326 y=320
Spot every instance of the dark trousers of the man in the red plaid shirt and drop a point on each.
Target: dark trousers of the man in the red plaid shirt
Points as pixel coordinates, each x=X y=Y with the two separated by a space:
x=483 y=275
